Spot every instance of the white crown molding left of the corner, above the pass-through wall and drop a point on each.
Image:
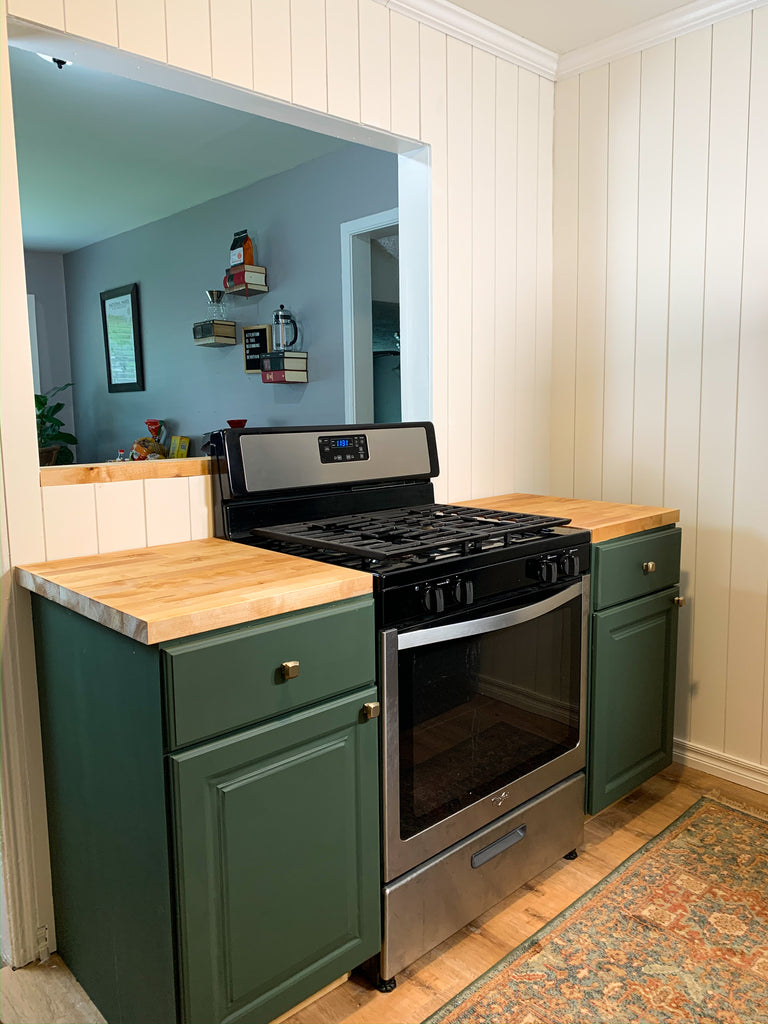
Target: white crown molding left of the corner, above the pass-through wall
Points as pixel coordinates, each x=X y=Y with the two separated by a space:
x=460 y=24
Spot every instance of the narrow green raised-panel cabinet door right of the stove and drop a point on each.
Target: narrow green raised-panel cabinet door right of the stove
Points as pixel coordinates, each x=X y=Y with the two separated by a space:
x=633 y=694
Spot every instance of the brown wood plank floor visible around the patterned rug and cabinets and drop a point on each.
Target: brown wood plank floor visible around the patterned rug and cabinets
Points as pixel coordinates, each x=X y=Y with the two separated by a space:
x=48 y=994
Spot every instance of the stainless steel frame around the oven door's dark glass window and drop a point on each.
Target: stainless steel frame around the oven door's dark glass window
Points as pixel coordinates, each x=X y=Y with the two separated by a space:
x=401 y=856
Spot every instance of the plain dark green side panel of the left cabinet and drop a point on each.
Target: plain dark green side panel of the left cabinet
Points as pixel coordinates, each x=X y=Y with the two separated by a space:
x=101 y=705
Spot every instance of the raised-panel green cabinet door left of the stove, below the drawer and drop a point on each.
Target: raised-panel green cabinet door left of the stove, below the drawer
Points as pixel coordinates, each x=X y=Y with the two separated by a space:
x=277 y=835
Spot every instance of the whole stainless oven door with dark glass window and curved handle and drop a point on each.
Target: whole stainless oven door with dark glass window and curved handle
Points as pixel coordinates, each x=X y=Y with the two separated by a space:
x=480 y=715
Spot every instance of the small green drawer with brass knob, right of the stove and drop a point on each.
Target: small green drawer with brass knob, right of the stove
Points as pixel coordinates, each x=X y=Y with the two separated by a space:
x=618 y=566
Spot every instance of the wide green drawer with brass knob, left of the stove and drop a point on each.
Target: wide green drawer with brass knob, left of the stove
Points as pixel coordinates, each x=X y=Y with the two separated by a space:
x=233 y=678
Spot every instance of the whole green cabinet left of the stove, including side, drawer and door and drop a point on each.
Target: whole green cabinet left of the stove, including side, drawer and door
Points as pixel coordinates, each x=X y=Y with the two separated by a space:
x=214 y=812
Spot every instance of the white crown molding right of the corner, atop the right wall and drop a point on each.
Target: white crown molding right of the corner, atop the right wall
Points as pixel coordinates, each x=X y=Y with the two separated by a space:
x=700 y=15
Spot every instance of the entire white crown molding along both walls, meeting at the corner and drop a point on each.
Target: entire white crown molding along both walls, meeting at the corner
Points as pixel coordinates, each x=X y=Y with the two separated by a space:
x=460 y=24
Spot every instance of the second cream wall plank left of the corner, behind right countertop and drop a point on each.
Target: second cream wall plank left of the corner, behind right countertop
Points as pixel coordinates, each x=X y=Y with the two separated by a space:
x=526 y=240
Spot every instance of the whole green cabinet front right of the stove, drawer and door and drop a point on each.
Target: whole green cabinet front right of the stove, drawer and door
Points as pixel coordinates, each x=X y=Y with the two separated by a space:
x=635 y=595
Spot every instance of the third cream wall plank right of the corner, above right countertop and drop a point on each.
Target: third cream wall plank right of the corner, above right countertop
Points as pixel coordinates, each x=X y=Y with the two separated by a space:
x=621 y=282
